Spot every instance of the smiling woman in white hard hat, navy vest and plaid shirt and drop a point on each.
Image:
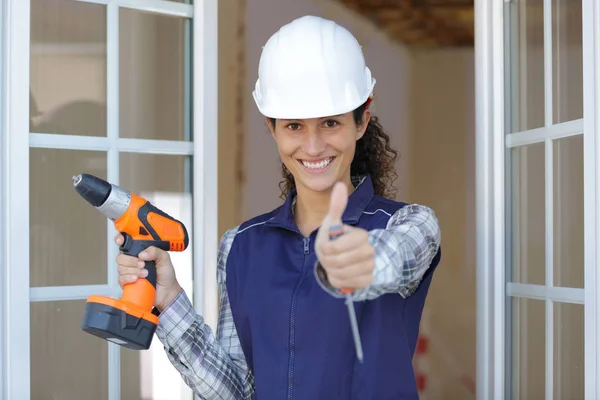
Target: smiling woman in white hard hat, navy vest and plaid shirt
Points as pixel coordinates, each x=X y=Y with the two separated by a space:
x=283 y=329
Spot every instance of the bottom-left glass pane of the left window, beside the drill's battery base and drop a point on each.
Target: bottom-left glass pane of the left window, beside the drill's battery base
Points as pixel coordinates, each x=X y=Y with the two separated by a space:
x=66 y=363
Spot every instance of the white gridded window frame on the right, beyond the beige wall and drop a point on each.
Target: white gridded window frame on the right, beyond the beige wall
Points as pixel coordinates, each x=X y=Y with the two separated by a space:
x=493 y=293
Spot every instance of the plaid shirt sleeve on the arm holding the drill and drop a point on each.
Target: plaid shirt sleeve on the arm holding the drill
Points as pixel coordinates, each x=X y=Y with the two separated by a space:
x=214 y=367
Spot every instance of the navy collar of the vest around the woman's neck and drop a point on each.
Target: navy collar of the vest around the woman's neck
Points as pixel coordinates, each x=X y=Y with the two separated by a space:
x=357 y=202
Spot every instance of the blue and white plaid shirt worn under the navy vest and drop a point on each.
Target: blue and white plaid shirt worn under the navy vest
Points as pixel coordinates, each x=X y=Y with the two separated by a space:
x=215 y=367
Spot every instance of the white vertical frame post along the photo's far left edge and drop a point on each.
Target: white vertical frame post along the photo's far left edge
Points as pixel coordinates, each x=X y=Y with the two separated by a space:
x=15 y=211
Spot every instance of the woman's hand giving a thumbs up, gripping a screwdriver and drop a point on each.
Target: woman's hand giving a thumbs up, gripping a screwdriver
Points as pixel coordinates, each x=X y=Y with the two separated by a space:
x=349 y=259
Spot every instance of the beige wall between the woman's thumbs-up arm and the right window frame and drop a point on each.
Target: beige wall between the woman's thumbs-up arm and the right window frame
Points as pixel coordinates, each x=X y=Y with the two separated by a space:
x=442 y=176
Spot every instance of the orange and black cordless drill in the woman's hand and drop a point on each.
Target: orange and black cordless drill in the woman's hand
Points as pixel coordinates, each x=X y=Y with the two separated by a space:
x=129 y=321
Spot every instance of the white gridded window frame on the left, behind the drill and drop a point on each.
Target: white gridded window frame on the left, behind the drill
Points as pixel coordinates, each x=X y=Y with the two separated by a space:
x=15 y=141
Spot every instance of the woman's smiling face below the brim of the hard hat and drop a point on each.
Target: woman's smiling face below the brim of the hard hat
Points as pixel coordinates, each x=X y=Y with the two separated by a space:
x=319 y=151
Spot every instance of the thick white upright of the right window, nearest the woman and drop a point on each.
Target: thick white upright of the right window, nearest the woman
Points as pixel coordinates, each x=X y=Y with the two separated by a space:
x=489 y=124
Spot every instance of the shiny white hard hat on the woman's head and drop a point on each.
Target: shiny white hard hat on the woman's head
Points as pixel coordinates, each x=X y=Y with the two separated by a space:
x=311 y=68
